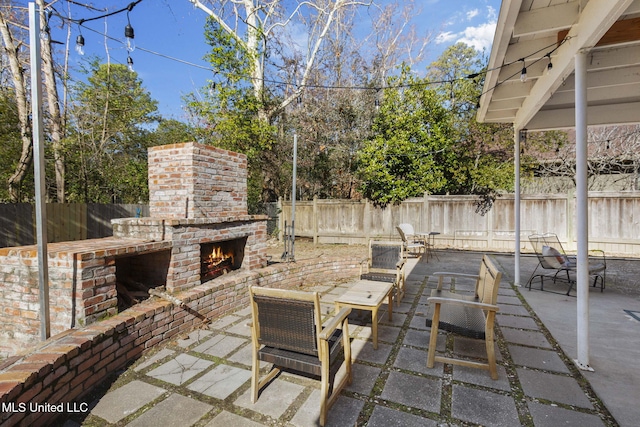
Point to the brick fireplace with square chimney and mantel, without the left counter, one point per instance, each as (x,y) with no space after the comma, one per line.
(198,201)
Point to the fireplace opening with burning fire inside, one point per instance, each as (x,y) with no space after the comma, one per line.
(220,258)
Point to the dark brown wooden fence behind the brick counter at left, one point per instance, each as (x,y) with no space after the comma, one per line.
(65,221)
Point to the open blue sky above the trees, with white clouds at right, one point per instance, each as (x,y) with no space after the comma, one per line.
(170,44)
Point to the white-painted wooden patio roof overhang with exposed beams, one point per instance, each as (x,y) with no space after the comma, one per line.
(543,31)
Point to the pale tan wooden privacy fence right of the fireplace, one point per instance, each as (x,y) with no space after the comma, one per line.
(614,220)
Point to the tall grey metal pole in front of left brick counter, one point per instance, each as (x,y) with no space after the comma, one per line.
(39,170)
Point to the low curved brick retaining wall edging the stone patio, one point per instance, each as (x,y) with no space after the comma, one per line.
(67,366)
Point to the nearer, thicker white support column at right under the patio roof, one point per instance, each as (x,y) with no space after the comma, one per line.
(582,229)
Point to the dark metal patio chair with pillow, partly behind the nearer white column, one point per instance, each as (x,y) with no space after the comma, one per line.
(555,264)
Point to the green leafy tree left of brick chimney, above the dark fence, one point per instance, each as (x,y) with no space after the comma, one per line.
(111,118)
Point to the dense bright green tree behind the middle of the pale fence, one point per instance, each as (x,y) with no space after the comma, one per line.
(413,139)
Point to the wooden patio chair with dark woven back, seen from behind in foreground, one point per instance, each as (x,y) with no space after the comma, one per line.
(287,331)
